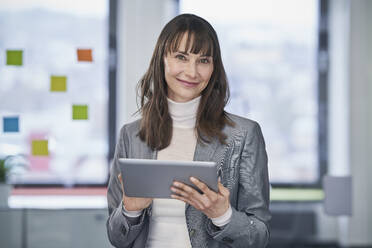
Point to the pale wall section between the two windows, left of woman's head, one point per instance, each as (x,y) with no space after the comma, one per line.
(139,25)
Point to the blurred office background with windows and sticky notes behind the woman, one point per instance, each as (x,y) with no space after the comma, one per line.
(68,72)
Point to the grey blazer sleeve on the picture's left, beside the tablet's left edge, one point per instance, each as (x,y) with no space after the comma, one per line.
(122,231)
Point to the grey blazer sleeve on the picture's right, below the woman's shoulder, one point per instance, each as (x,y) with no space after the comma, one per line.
(248,226)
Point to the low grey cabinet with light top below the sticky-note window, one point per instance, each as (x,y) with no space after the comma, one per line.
(59,220)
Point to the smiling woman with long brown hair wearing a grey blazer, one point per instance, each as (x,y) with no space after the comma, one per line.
(183,95)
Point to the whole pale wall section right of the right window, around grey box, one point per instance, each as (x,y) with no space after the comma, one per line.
(350,112)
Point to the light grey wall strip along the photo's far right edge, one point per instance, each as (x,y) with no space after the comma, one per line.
(360,129)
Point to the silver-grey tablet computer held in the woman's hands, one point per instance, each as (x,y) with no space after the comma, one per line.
(153,178)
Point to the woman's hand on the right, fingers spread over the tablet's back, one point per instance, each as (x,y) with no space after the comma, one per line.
(210,203)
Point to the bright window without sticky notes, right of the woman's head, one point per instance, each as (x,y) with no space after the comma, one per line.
(269,50)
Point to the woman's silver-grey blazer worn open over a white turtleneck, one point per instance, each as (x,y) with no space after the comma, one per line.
(243,165)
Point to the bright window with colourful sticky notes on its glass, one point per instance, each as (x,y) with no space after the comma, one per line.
(54,91)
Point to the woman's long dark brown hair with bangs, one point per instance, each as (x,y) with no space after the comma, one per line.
(156,123)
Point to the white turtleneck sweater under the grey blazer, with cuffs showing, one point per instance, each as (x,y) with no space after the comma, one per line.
(168,222)
